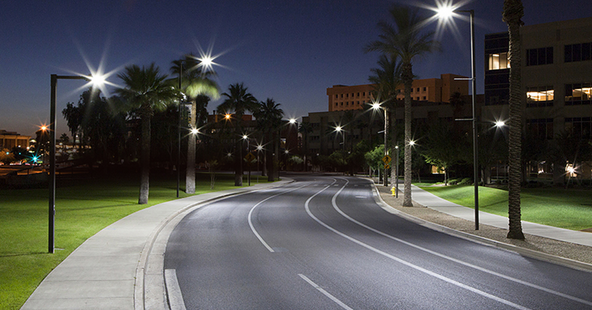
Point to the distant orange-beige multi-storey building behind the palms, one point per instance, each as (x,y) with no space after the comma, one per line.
(344,98)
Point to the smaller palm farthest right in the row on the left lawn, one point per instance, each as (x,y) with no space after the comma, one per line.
(269,119)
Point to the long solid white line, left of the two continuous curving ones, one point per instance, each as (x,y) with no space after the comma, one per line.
(404,262)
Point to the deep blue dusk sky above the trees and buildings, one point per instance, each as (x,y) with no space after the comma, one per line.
(289,50)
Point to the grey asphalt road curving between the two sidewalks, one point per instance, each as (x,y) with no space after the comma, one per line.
(324,243)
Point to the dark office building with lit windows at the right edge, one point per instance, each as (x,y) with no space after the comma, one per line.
(556,83)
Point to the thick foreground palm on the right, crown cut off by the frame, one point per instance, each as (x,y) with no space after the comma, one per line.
(512,14)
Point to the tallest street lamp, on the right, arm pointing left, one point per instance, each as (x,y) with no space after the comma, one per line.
(446,12)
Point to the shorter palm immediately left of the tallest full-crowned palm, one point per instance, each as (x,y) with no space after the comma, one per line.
(386,80)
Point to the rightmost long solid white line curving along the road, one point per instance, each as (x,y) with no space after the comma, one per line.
(544,289)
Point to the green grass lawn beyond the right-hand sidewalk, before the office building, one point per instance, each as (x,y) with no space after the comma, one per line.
(565,208)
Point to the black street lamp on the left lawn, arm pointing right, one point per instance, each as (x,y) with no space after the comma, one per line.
(95,80)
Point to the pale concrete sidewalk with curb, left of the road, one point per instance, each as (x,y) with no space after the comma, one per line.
(118,268)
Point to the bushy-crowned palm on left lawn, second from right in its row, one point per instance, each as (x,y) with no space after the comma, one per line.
(239,100)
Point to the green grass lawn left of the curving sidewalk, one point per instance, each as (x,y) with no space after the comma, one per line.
(83,207)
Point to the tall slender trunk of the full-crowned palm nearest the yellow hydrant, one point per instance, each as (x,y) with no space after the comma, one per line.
(407,76)
